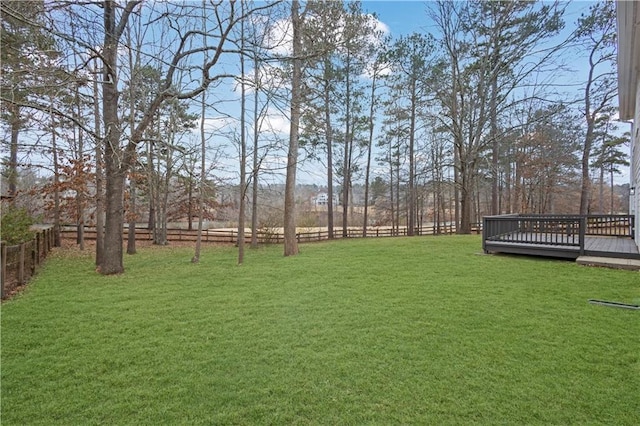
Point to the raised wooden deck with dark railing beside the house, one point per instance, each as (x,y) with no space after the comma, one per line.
(561,236)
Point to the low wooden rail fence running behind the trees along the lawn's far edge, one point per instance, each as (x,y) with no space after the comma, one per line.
(264,236)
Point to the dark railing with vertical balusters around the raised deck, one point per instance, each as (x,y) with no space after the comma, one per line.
(554,230)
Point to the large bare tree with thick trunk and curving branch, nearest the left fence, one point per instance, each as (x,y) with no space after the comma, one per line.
(119,158)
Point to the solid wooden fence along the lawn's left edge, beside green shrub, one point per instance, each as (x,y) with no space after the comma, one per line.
(20,262)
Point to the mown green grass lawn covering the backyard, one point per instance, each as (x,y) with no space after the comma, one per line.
(384,331)
